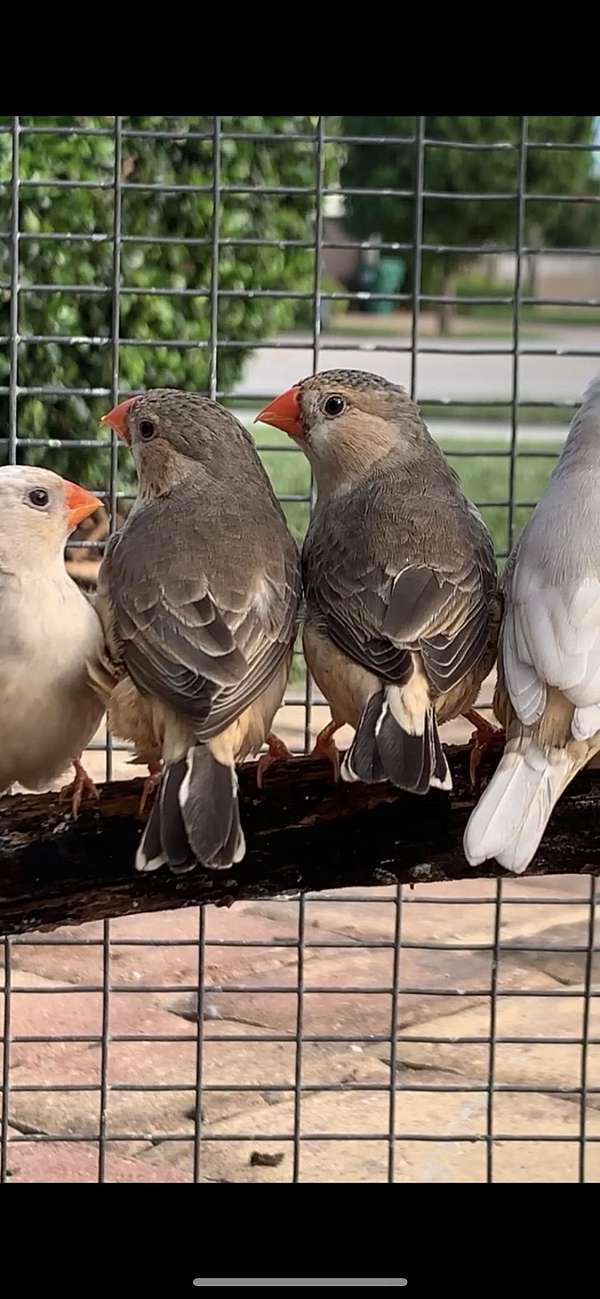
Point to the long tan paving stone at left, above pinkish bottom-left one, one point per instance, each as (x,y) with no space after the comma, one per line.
(173,1067)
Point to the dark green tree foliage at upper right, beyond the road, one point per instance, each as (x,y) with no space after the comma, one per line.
(472,171)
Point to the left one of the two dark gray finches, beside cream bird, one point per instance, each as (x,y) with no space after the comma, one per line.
(199,597)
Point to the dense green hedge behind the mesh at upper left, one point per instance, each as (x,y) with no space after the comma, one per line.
(181,264)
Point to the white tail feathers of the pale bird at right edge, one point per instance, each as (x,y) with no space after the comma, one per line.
(514,813)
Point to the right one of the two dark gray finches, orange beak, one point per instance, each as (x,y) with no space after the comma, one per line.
(399,574)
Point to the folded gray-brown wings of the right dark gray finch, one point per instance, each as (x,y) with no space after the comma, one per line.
(440,607)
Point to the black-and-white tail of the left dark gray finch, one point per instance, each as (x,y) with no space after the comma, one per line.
(195,816)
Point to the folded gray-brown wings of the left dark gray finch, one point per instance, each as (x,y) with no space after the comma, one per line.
(206,655)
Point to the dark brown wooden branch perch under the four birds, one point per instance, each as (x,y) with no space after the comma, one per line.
(303,833)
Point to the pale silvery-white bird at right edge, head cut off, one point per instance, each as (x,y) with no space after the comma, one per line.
(549,666)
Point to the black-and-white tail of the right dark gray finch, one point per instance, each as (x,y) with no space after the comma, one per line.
(398,741)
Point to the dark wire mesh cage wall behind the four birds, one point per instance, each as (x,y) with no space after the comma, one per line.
(366,1036)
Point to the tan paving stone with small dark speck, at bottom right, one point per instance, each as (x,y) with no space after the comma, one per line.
(456,1119)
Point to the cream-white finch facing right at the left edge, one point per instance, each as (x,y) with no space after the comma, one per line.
(49,631)
